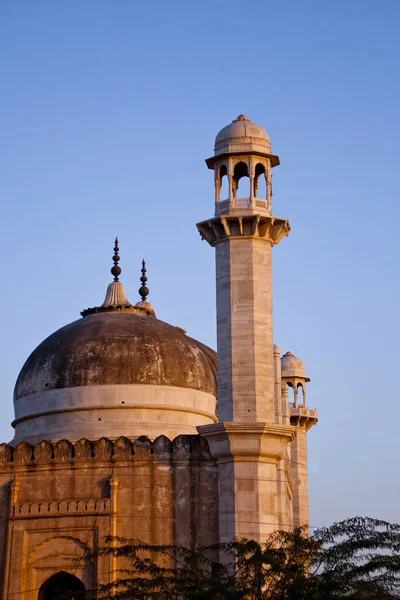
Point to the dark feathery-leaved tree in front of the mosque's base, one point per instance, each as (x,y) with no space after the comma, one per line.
(356,559)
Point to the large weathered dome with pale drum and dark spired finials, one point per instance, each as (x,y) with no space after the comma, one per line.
(117,371)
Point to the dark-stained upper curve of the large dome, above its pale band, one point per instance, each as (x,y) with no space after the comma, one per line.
(118,348)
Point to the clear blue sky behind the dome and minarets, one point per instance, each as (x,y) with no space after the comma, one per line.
(108,110)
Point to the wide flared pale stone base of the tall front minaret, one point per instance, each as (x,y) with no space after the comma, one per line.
(255,487)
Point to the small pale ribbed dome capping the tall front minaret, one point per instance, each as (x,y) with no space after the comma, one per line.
(242,135)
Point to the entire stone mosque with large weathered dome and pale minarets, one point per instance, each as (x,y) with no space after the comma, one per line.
(124,425)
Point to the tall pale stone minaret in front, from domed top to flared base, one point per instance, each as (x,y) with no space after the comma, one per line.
(250,441)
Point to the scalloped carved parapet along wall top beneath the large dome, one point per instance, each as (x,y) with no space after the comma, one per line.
(184,447)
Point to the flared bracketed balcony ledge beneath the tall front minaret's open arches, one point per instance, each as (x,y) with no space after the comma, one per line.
(266,228)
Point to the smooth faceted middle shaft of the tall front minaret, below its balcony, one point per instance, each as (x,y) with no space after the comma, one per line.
(245,330)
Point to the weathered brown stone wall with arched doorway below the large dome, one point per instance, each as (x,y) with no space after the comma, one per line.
(59,501)
